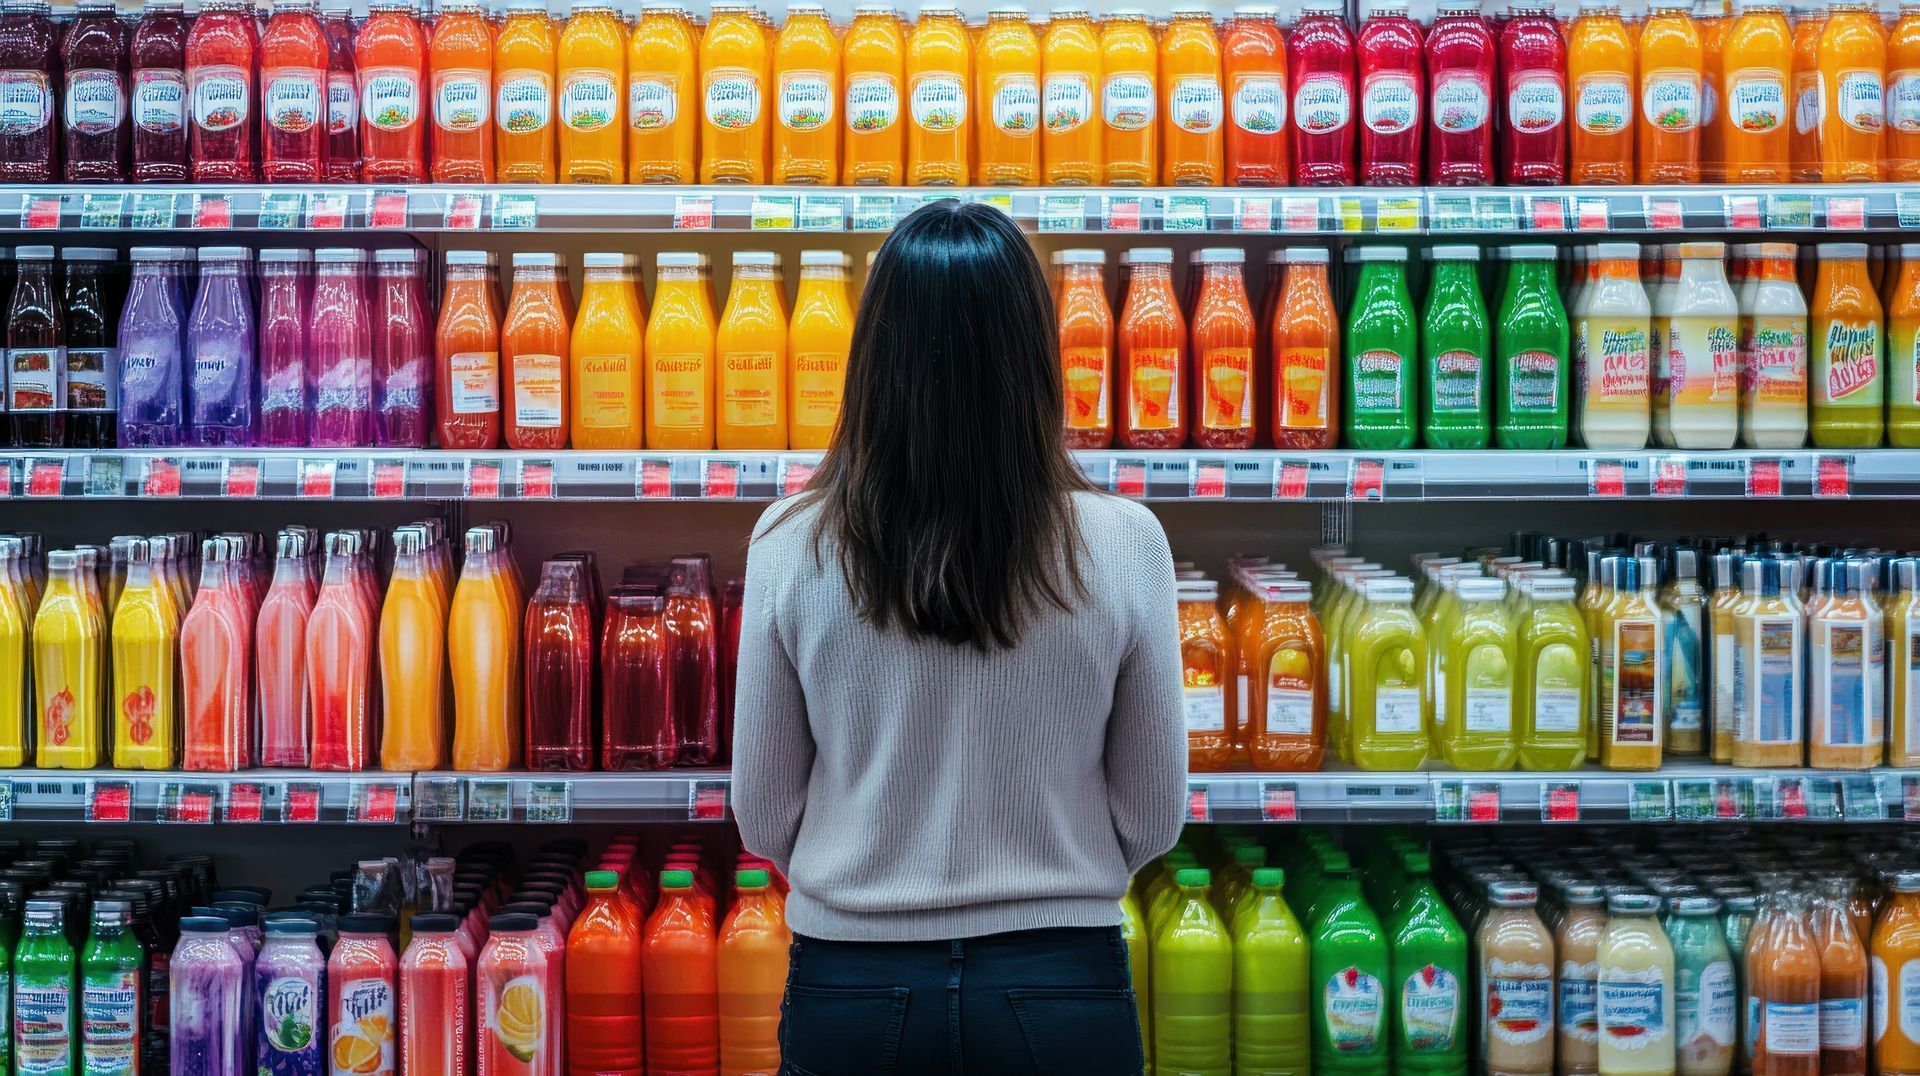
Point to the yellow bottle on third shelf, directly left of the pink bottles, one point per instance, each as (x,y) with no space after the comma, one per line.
(147,639)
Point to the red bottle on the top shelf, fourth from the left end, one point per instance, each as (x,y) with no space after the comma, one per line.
(222,57)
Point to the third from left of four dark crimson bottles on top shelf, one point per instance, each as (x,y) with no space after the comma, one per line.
(1460,114)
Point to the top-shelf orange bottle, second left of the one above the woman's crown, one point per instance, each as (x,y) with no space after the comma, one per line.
(807,78)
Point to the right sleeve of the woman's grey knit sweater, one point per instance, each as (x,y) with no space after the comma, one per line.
(1147,731)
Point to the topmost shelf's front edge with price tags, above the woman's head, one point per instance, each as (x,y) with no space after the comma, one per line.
(1358,212)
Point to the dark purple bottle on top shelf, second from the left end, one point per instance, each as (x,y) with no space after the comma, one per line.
(93,53)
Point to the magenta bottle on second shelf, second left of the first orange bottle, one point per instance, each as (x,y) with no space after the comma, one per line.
(341,353)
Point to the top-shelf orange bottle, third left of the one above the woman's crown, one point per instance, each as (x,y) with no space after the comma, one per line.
(736,62)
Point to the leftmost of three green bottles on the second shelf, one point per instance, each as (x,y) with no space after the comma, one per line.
(1381,353)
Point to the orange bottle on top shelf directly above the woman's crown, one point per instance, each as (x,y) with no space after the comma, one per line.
(940,64)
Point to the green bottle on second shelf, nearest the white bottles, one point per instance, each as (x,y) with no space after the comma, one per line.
(1531,347)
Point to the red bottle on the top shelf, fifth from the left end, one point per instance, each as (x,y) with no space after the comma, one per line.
(293,95)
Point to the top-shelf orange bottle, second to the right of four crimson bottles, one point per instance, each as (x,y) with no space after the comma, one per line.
(1671,64)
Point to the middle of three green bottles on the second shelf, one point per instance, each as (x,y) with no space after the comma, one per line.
(1456,345)
